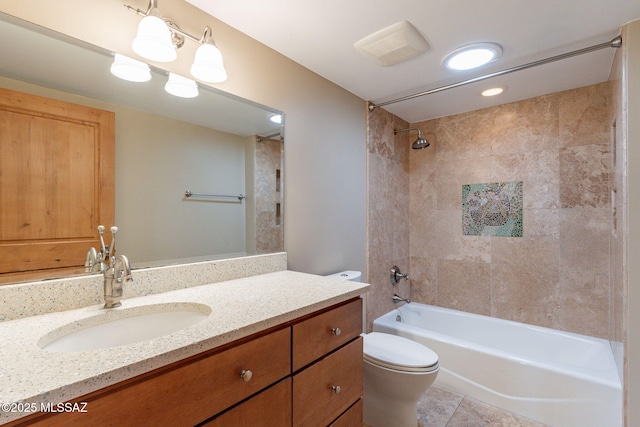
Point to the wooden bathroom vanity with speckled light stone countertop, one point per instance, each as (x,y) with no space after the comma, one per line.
(288,353)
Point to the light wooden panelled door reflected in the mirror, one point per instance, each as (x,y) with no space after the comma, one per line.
(57,164)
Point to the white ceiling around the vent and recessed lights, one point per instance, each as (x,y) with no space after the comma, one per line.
(320,36)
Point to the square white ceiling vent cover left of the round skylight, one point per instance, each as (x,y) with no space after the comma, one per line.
(392,45)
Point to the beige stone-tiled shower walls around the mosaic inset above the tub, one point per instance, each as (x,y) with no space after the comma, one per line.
(557,274)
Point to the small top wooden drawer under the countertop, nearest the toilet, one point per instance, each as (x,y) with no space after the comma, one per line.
(321,334)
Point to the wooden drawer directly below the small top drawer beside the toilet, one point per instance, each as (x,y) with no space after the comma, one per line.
(315,402)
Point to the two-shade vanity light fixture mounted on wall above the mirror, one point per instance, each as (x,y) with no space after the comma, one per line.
(158,38)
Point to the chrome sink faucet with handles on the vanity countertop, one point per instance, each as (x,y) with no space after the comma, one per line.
(116,274)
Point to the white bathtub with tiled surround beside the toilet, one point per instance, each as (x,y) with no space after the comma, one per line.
(554,377)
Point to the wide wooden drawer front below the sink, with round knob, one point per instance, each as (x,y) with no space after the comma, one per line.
(190,393)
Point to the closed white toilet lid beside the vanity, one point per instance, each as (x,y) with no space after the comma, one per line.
(394,352)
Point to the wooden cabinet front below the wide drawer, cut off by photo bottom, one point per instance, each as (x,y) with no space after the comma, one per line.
(271,408)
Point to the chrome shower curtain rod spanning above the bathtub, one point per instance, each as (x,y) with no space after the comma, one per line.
(616,42)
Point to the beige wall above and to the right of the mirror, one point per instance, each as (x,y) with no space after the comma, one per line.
(325,125)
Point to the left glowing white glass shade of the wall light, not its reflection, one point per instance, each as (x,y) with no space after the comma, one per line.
(153,40)
